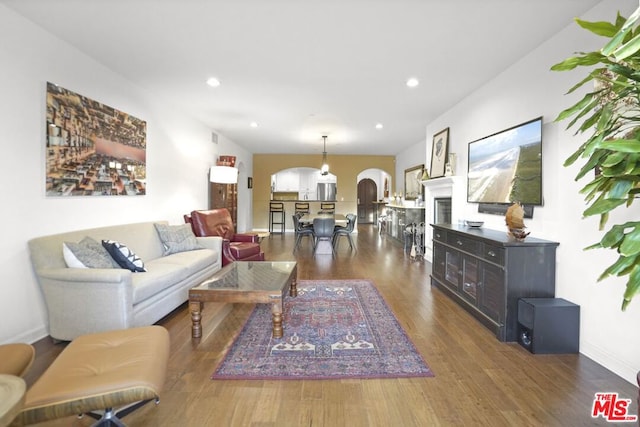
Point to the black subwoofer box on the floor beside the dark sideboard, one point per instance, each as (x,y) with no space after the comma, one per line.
(548,325)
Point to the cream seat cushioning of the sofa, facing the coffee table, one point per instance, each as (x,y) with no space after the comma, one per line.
(167,271)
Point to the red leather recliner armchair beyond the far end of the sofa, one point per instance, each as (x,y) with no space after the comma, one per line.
(217,222)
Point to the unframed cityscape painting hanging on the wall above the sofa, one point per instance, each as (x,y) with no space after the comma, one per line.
(92,149)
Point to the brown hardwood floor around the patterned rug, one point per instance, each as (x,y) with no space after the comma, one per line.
(478,380)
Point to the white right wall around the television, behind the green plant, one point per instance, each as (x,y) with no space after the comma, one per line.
(524,91)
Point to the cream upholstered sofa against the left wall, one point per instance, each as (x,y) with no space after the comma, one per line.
(88,300)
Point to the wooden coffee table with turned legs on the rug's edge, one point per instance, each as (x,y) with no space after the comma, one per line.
(246,282)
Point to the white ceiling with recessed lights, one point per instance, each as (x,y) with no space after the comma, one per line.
(301,69)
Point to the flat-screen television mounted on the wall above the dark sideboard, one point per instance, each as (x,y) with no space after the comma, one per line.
(506,167)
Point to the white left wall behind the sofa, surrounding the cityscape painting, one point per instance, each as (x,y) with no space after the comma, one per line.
(179,153)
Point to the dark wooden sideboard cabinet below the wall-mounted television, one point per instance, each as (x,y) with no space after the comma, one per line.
(486,272)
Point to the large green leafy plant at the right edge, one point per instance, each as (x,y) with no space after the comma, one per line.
(610,115)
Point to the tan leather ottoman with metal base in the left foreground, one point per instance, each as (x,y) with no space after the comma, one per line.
(100,372)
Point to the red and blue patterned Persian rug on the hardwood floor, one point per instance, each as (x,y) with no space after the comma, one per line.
(333,329)
